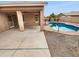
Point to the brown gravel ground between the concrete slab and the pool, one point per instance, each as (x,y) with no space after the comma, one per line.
(62,45)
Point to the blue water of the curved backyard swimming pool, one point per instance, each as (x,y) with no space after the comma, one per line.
(63,27)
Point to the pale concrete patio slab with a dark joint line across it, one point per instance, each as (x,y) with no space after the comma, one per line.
(29,43)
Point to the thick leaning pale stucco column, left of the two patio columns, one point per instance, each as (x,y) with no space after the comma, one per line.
(20,20)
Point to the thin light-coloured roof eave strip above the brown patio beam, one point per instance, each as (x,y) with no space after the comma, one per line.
(23,4)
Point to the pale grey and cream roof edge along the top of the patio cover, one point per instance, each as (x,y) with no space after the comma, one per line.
(14,4)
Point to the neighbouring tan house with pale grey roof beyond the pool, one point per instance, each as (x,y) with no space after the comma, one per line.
(72,17)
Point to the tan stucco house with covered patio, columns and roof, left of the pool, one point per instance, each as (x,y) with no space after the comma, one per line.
(21,14)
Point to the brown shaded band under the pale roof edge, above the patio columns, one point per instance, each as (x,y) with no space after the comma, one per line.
(23,9)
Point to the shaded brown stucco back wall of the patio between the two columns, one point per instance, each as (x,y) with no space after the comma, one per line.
(29,19)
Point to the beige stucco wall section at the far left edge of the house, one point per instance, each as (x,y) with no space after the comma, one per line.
(3,22)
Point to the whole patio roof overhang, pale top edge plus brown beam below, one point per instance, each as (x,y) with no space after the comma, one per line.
(22,6)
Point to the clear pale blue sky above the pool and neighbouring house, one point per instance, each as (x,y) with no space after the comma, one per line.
(60,7)
